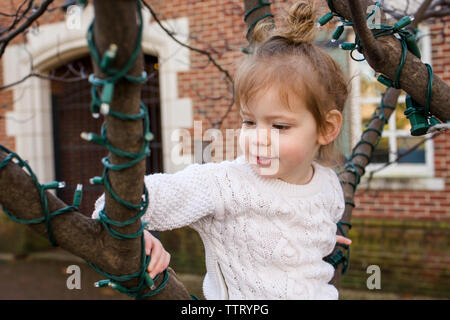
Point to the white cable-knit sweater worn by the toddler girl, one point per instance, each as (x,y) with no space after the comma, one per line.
(264,238)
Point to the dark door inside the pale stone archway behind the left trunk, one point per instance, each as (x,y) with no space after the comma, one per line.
(76,161)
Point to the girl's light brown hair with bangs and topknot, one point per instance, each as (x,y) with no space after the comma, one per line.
(287,58)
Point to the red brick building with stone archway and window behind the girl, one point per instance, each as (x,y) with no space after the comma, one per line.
(401,216)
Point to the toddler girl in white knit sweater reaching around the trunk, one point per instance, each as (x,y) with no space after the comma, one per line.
(268,218)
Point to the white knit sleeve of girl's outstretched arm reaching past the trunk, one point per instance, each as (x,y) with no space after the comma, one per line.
(179,199)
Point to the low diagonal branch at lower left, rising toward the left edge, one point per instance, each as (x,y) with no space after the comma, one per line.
(73,231)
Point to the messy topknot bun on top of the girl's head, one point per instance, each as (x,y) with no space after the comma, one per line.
(300,22)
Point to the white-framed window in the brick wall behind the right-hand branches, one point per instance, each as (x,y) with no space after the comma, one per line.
(396,138)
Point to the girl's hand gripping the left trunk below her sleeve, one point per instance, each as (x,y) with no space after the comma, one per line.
(160,258)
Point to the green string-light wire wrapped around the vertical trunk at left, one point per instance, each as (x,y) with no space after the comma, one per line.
(101,105)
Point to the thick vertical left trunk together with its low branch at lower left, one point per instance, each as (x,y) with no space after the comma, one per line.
(73,231)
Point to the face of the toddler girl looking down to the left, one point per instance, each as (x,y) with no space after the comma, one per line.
(277,142)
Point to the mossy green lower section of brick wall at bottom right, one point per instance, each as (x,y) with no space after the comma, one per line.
(412,256)
